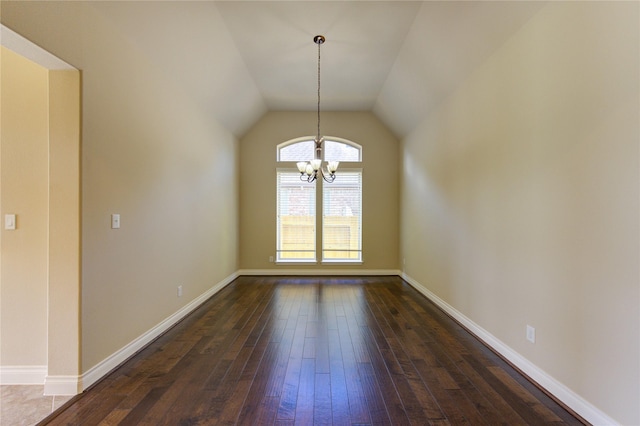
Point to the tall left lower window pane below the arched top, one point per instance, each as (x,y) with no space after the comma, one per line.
(296,228)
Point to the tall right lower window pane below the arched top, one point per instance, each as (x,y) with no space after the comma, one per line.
(342,218)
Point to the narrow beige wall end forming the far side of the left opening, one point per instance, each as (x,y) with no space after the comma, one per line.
(63,348)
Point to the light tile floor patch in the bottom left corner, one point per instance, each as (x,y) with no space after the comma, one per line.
(26,405)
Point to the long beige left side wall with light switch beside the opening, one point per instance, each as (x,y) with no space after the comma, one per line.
(153,155)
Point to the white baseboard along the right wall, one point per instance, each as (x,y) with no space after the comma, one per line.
(572,400)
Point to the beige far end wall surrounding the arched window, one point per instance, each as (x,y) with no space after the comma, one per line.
(258,185)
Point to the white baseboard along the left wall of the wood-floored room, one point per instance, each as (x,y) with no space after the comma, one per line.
(103,368)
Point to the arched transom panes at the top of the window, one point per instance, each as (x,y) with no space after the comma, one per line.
(333,149)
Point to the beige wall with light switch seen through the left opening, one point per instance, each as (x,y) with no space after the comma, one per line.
(24,192)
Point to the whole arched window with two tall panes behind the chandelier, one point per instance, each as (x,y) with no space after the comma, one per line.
(340,223)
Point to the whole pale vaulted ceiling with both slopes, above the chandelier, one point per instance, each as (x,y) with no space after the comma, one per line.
(398,59)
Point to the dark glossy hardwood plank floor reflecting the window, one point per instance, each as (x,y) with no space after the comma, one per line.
(322,350)
